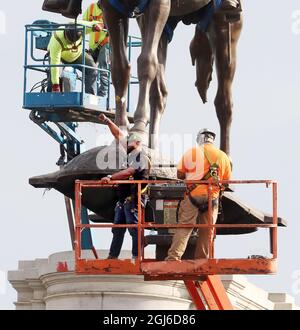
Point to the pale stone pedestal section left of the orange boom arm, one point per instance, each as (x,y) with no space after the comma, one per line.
(41,286)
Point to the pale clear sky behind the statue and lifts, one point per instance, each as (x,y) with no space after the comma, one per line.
(265,136)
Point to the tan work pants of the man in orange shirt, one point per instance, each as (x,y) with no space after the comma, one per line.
(188,214)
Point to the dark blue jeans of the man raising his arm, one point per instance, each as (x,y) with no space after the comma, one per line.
(125,214)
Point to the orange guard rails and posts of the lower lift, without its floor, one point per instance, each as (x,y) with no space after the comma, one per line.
(81,185)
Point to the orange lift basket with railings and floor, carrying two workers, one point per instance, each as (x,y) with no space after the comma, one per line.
(173,270)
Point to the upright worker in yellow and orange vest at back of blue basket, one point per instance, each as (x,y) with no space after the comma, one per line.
(99,46)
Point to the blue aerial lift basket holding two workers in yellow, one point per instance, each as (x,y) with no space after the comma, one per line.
(73,104)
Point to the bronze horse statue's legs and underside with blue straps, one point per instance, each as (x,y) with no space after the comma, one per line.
(157,18)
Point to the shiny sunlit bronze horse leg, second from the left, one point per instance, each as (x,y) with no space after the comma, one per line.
(154,21)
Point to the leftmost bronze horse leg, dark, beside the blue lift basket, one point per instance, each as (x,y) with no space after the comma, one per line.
(120,68)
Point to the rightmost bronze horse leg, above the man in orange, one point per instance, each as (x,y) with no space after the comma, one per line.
(225,37)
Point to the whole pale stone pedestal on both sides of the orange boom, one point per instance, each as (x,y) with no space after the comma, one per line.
(41,285)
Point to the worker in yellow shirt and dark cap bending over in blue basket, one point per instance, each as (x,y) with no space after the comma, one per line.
(66,46)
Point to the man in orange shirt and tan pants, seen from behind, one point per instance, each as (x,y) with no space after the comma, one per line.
(208,163)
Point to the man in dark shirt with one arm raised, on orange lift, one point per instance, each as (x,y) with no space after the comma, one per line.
(137,167)
